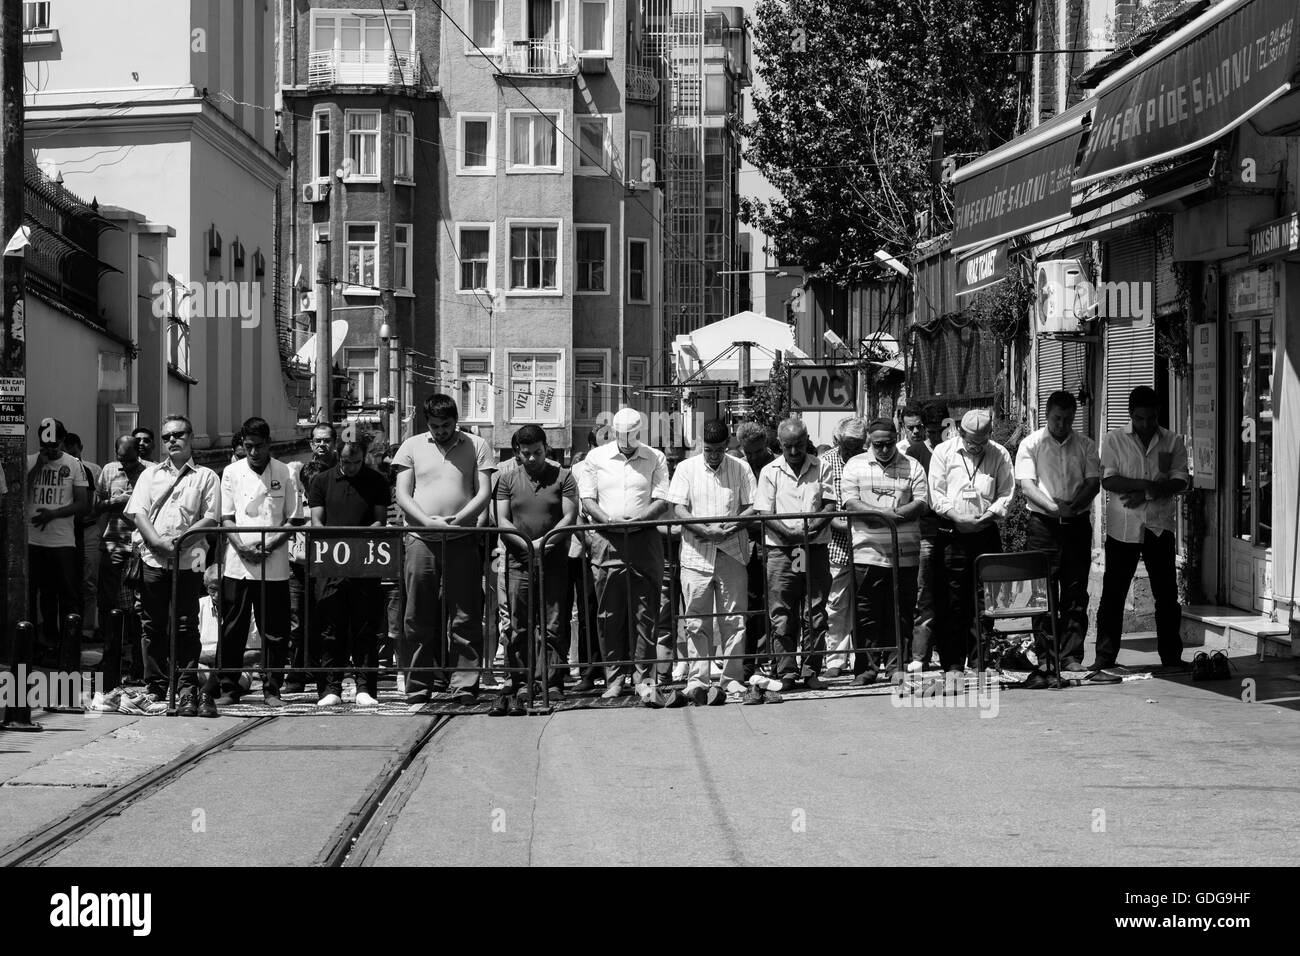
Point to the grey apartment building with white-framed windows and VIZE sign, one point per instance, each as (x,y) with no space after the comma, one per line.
(552,219)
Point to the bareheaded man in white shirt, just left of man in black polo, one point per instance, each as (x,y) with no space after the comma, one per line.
(257,492)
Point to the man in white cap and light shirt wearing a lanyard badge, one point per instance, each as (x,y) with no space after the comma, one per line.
(970,488)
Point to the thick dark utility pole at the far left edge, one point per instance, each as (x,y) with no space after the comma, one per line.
(14,348)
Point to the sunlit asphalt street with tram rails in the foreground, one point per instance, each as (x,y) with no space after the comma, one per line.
(1159,772)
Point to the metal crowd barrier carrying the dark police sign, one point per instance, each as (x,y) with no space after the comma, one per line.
(432,661)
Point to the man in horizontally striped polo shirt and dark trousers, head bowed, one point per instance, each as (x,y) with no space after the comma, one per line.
(883,482)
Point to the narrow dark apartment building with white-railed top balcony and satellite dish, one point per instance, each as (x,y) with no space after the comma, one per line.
(359,120)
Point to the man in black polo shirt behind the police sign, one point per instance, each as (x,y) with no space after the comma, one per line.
(349,495)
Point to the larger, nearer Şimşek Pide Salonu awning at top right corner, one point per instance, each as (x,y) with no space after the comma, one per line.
(1202,83)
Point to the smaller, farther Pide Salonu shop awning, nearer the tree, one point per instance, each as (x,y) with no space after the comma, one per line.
(1020,187)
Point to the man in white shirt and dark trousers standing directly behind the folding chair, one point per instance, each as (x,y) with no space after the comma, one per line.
(1060,474)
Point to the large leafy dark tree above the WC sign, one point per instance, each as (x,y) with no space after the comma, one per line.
(850,97)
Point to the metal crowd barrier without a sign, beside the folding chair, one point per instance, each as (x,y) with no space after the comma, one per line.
(645,639)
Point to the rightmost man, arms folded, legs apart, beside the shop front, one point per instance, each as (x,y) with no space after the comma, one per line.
(1143,468)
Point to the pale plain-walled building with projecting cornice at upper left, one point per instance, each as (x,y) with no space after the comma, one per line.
(170,113)
